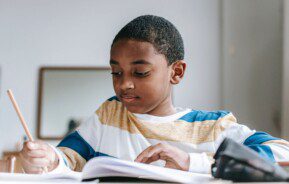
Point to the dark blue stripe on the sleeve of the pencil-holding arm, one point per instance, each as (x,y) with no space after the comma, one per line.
(75,142)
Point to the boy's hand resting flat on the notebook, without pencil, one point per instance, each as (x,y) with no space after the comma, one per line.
(174,157)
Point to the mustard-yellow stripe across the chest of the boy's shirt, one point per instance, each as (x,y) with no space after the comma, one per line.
(113,113)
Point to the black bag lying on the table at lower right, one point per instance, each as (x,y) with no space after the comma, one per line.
(234,161)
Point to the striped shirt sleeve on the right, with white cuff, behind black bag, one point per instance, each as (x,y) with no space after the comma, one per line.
(267,146)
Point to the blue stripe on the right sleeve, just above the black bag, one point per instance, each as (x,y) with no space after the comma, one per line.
(255,142)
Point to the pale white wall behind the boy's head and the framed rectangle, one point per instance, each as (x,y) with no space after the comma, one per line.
(79,32)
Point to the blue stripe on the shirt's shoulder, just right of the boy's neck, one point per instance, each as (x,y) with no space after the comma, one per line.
(195,115)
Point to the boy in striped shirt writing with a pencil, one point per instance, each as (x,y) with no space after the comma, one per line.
(140,123)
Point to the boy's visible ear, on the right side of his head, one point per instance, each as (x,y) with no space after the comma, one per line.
(178,71)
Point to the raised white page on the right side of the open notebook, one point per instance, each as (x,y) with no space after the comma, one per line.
(108,166)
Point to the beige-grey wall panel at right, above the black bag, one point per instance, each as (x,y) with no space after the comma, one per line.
(252,62)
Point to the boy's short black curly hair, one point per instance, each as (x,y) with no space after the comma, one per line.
(161,33)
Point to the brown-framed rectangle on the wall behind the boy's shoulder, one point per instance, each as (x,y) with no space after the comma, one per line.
(69,95)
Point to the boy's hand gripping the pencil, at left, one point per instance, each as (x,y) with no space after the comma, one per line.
(36,156)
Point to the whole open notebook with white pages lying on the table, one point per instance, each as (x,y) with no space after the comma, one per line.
(108,167)
